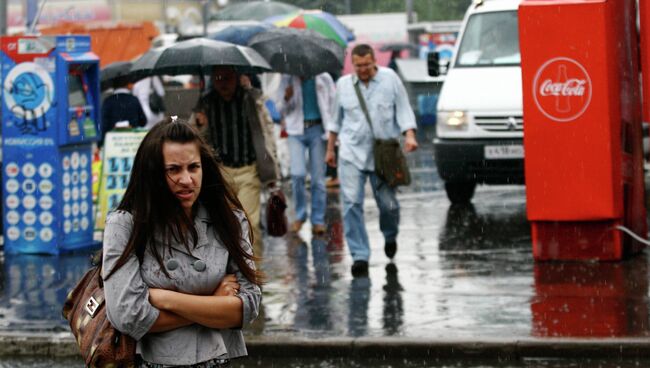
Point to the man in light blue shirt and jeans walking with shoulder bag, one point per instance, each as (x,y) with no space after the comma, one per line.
(390,114)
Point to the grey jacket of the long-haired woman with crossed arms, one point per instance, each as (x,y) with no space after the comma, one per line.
(127,292)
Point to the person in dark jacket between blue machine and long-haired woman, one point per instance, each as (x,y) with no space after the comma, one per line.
(121,106)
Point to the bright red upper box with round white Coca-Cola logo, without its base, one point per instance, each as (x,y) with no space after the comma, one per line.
(571,106)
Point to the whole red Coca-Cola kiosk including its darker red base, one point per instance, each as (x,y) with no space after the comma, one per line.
(582,128)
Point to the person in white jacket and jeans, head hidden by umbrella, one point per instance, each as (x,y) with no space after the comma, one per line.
(307,103)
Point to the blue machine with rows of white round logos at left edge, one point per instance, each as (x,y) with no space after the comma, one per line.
(50,118)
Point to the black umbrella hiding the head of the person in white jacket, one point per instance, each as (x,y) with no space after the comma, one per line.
(300,52)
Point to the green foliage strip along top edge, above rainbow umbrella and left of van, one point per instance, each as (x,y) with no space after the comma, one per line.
(427,10)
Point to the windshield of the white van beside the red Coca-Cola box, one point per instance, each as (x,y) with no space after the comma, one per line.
(490,39)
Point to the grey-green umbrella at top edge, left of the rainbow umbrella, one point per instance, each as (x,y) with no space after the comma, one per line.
(253,10)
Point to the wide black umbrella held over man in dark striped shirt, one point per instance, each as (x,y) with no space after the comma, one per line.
(200,55)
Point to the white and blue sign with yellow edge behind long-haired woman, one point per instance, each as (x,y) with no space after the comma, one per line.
(120,148)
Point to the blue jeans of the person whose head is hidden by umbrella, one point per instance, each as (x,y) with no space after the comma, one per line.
(311,141)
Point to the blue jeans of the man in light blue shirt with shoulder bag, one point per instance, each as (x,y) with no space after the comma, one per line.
(353,182)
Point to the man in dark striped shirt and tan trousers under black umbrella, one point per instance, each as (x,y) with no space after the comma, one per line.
(237,125)
